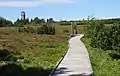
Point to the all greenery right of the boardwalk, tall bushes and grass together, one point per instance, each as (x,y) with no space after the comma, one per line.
(102,42)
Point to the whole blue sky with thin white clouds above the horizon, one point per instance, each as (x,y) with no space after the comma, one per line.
(60,9)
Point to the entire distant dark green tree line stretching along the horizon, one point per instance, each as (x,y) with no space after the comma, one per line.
(37,22)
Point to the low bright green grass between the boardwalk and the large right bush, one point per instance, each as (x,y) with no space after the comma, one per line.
(104,63)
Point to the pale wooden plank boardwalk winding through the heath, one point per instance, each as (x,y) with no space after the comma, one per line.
(76,61)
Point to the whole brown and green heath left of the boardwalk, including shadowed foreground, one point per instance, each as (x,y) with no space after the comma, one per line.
(30,54)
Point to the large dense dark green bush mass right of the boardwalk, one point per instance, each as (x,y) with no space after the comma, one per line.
(104,37)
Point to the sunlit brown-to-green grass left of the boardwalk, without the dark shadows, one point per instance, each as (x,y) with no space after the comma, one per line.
(36,50)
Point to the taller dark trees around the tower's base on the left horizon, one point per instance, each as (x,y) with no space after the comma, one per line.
(19,23)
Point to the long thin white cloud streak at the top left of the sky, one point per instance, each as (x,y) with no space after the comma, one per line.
(31,3)
